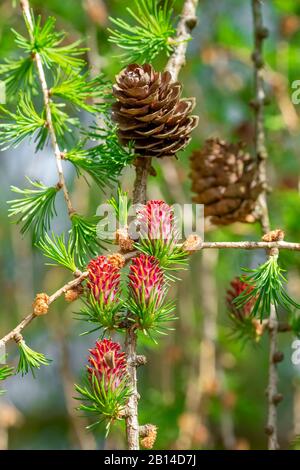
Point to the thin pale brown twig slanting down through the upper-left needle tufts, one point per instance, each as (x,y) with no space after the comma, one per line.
(47,103)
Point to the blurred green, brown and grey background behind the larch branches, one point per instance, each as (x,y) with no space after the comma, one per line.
(202,387)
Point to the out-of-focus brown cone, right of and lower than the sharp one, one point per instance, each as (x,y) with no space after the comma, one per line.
(224,177)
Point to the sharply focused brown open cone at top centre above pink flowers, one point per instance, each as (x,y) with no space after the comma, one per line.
(149,111)
